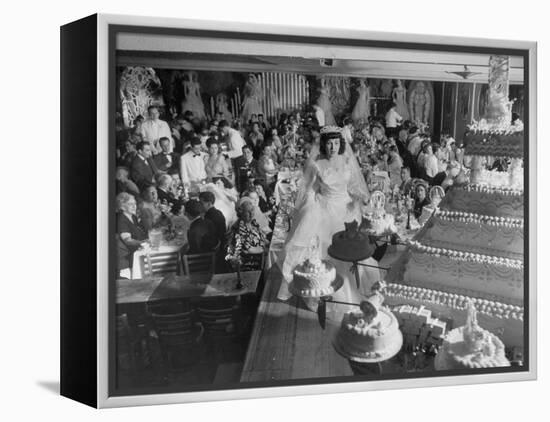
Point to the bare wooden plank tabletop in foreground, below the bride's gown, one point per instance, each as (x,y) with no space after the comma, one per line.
(288,342)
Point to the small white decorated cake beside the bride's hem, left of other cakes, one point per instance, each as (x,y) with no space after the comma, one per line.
(313,277)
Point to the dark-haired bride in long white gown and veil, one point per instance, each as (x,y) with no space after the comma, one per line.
(332,193)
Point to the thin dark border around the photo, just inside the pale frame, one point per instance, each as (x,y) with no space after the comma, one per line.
(115,29)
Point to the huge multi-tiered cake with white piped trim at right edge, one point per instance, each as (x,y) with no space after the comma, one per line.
(472,251)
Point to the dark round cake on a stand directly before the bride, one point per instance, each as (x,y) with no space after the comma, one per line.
(350,244)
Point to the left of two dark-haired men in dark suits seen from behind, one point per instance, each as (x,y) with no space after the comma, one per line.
(202,233)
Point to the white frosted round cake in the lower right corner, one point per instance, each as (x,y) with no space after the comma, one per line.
(466,350)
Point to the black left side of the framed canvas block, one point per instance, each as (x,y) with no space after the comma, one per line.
(78,360)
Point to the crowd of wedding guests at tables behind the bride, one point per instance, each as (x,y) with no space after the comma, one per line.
(220,177)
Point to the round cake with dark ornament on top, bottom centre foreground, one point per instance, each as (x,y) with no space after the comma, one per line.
(373,341)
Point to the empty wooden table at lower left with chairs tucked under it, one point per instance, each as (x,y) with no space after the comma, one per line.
(177,287)
